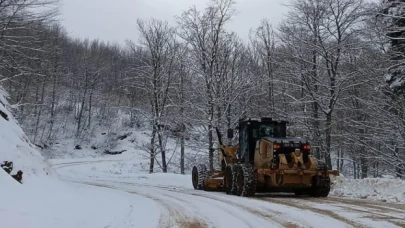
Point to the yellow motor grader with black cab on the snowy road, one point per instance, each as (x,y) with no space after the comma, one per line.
(265,160)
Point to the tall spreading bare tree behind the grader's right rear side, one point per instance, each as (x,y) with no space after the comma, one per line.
(319,35)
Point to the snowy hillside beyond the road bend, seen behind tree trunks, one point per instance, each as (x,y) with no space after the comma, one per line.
(132,142)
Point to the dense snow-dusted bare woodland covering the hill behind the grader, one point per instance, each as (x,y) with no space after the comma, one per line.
(333,68)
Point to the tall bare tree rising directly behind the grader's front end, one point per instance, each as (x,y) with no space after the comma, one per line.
(204,33)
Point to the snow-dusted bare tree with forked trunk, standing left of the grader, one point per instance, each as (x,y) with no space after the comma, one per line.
(159,40)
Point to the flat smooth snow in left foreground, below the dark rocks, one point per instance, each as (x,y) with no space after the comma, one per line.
(48,202)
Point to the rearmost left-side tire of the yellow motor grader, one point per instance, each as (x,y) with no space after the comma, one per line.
(245,180)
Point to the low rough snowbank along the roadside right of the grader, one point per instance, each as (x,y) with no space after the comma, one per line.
(377,189)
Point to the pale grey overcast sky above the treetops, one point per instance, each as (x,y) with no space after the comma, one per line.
(115,20)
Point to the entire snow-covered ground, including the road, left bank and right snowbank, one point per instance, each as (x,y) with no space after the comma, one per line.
(98,190)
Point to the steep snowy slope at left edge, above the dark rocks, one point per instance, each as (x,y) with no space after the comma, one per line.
(16,147)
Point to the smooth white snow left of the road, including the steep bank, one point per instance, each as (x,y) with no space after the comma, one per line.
(44,201)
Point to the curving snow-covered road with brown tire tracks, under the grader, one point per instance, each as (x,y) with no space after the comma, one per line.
(181,206)
